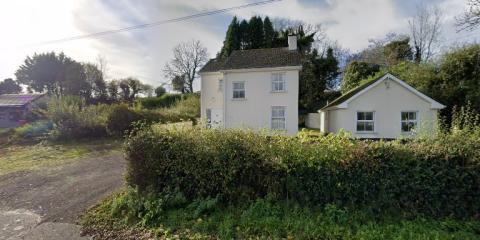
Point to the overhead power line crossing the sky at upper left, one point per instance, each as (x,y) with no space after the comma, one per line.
(153,24)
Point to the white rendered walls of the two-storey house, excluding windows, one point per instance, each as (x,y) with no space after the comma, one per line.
(255,110)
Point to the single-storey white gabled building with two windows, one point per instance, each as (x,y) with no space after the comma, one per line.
(386,107)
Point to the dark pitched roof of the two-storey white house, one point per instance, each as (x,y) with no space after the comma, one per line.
(255,58)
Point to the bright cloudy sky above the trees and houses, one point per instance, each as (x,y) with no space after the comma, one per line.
(142,53)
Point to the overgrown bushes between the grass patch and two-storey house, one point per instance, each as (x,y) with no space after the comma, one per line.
(70,117)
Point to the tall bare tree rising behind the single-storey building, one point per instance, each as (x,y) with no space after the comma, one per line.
(425,28)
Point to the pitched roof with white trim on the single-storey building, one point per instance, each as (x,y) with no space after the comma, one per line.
(350,95)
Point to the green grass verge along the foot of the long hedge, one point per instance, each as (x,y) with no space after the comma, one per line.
(262,219)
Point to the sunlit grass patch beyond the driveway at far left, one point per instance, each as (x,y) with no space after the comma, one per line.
(14,158)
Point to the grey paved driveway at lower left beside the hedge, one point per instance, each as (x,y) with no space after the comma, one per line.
(45,204)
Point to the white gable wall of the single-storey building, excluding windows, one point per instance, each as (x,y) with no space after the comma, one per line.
(387,105)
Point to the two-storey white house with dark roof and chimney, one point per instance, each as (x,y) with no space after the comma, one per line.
(255,89)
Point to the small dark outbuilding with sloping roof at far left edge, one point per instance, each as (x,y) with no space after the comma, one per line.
(14,108)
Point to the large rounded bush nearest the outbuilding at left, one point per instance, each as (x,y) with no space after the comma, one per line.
(74,119)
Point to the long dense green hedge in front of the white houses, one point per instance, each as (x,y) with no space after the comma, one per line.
(432,176)
